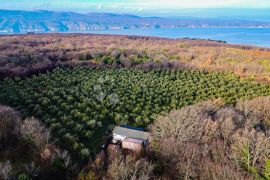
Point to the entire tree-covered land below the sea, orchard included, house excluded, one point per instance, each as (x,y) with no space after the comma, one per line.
(209,118)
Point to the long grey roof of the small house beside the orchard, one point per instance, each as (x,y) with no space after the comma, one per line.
(131,133)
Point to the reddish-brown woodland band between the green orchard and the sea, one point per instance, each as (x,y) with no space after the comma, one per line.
(24,55)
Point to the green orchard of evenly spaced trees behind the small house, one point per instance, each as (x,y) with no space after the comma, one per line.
(77,104)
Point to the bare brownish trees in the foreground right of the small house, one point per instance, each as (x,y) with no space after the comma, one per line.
(211,140)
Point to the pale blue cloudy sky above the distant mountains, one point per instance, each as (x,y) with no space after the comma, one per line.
(144,7)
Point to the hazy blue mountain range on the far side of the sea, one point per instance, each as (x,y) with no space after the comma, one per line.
(12,21)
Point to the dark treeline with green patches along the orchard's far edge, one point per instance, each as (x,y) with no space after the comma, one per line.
(27,65)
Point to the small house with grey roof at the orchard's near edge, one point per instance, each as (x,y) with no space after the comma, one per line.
(131,138)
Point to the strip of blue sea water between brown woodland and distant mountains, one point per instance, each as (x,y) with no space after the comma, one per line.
(246,36)
